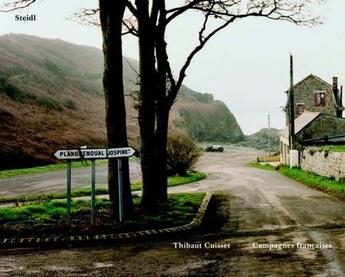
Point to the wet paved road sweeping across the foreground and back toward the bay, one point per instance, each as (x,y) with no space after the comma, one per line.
(257,208)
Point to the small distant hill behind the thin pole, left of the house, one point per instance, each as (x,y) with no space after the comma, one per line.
(259,140)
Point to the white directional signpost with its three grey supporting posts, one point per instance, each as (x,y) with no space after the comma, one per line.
(93,155)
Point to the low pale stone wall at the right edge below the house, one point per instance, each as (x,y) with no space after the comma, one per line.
(324,163)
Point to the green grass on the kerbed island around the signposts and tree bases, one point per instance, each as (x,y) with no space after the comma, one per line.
(180,209)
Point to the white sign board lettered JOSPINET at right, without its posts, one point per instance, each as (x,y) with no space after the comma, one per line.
(91,154)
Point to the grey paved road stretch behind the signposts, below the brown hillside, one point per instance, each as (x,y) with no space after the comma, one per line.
(56,181)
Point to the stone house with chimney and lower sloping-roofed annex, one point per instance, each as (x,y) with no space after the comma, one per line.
(318,114)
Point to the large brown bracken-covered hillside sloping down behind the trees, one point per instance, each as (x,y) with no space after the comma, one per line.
(51,97)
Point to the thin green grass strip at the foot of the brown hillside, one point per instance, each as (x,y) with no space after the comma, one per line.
(4,174)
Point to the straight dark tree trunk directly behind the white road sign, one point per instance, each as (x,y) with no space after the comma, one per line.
(111,15)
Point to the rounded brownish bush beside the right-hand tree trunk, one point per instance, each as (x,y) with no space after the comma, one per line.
(182,153)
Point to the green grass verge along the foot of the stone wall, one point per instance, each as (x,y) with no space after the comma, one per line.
(308,178)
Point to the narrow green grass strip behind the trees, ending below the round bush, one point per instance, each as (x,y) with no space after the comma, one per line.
(192,176)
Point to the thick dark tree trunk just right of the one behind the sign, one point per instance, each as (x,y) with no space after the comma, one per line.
(152,125)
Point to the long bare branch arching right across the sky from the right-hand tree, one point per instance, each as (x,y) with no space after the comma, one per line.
(228,11)
